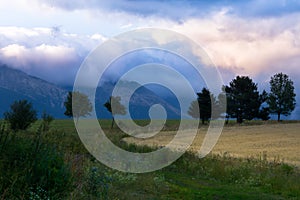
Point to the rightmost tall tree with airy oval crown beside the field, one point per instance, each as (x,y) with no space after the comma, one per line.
(282,97)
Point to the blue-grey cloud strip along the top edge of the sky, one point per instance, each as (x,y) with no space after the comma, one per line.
(181,10)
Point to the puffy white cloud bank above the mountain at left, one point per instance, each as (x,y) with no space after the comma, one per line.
(46,52)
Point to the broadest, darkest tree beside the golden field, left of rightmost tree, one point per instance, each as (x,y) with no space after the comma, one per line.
(243,99)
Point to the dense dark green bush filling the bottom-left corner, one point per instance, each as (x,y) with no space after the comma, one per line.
(30,173)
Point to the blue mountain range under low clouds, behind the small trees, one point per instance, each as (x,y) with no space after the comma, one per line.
(45,96)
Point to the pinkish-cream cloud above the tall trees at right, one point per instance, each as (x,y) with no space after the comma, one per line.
(247,46)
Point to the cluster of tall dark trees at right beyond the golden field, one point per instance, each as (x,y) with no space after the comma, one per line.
(244,102)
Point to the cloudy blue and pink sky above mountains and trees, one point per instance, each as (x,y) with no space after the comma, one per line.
(257,38)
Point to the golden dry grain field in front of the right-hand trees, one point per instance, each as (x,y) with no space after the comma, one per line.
(280,142)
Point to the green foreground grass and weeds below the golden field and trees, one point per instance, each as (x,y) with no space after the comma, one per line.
(61,168)
